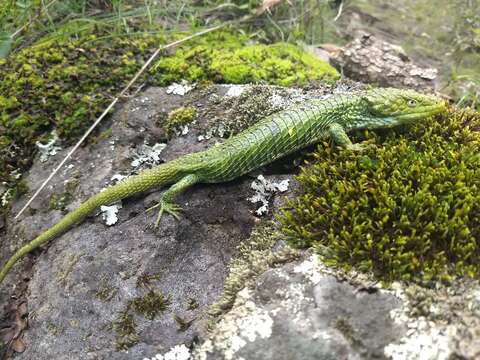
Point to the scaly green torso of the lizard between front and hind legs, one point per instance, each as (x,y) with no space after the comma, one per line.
(273,137)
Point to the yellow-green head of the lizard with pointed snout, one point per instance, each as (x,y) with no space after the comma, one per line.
(389,107)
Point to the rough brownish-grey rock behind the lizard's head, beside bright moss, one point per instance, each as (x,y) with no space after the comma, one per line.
(371,60)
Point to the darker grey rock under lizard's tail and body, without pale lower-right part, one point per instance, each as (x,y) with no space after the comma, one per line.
(98,290)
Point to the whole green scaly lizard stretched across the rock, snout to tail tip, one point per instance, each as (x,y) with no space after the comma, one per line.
(273,137)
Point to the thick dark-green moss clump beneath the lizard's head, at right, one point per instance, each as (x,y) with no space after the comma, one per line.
(406,209)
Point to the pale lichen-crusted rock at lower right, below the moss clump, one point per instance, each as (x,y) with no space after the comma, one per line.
(305,310)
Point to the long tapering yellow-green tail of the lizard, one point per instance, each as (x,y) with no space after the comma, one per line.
(161,175)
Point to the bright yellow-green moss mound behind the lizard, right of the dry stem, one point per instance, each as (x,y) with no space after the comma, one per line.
(226,57)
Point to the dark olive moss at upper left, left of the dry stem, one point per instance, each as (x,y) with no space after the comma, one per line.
(62,85)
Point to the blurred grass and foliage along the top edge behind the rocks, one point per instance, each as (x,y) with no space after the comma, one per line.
(445,34)
